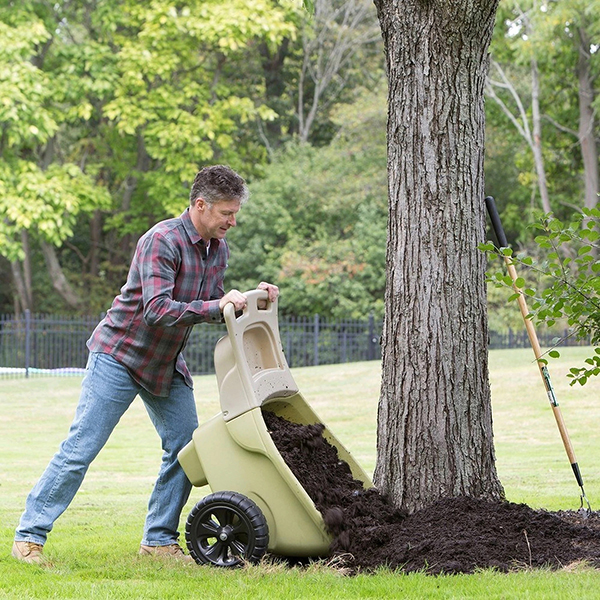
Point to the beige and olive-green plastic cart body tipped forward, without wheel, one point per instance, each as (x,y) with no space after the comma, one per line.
(234,451)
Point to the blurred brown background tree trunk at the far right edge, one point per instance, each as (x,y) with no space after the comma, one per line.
(589,150)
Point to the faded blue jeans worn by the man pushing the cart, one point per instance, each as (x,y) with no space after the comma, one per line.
(107,392)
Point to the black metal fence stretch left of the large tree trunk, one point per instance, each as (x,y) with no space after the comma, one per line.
(33,345)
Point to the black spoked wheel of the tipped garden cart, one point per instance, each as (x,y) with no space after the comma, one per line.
(225,529)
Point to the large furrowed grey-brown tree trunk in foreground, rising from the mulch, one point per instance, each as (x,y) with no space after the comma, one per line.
(435,423)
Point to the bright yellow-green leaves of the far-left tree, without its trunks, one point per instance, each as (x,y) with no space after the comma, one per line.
(40,198)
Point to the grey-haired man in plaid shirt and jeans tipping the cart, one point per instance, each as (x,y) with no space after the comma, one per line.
(175,281)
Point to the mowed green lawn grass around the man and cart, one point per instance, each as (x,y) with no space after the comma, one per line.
(94,545)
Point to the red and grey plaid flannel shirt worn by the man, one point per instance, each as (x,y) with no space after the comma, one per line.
(170,288)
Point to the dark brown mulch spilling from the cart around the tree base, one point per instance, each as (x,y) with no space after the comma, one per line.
(453,535)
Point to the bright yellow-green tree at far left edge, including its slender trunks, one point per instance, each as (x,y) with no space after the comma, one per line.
(41,197)
